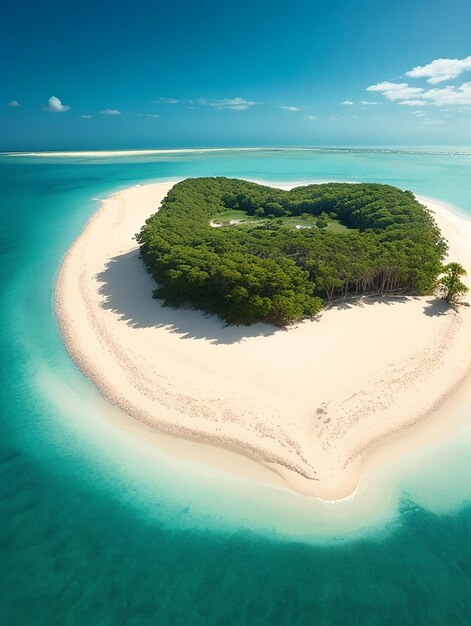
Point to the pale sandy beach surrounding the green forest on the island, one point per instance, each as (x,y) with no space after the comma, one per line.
(309,402)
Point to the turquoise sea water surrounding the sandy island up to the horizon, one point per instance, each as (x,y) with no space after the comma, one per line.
(99,526)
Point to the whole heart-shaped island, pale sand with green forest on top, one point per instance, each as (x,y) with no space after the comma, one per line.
(302,328)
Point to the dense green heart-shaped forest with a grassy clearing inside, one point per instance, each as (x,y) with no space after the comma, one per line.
(294,251)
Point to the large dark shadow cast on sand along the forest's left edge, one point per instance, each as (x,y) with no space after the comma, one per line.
(127,289)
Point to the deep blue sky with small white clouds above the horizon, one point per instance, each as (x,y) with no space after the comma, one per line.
(150,74)
